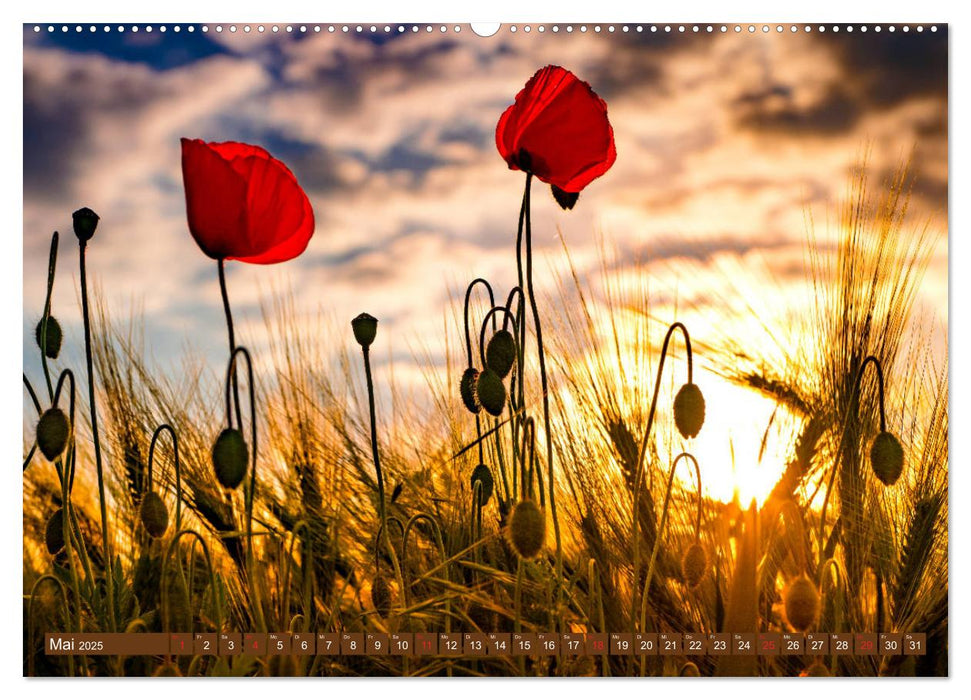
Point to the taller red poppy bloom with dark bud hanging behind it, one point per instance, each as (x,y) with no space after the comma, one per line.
(558,130)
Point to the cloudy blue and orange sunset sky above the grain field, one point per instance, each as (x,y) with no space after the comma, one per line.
(726,144)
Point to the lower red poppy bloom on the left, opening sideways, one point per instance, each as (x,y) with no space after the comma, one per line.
(243,204)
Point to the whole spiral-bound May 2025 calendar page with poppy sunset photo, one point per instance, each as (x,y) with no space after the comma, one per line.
(534,349)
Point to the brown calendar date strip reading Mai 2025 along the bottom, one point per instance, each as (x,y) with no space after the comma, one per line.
(468,644)
